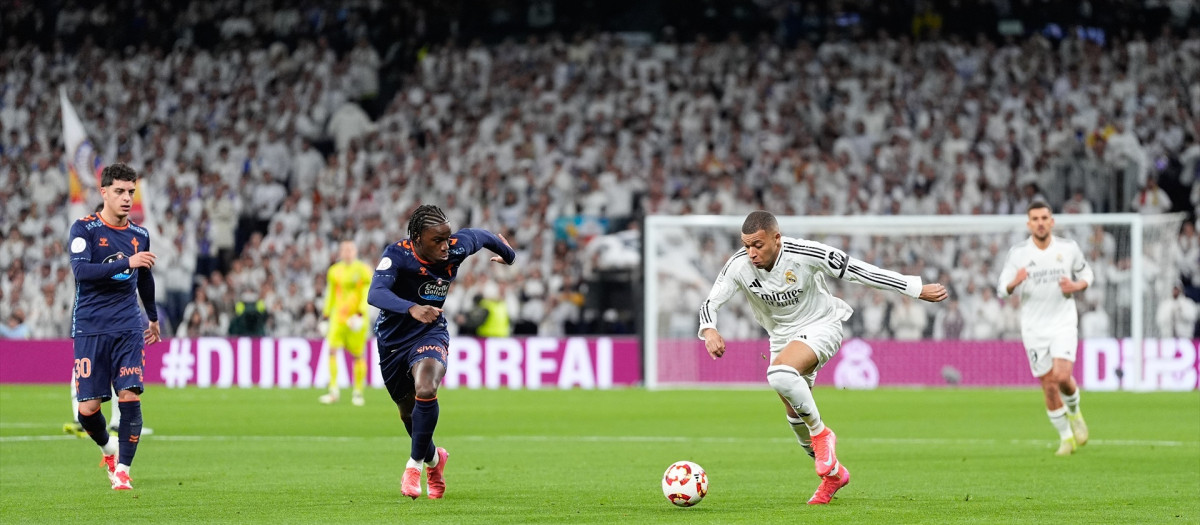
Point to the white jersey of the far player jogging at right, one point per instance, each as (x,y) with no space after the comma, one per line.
(1046,310)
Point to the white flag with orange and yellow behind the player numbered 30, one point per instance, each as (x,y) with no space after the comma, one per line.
(85,166)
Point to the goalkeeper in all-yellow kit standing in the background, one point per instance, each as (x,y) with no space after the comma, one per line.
(346,310)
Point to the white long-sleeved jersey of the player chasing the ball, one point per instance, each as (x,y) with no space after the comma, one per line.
(794,294)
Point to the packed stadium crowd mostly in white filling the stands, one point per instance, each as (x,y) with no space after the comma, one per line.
(265,150)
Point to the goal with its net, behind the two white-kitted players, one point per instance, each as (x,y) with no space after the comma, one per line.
(973,340)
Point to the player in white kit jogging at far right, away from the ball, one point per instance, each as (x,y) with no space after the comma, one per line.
(1048,271)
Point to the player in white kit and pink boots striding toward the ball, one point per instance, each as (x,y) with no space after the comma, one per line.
(784,281)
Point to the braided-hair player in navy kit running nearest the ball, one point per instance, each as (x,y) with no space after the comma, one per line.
(410,287)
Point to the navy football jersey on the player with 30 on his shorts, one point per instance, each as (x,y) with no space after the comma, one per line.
(106,286)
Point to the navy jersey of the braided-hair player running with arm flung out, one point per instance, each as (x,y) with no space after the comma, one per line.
(403,280)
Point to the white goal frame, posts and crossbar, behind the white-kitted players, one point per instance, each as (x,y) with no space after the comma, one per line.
(859,225)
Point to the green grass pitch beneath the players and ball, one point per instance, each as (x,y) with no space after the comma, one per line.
(916,456)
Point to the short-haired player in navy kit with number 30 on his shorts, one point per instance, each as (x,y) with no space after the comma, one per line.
(111,260)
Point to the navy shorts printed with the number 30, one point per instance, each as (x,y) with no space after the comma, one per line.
(107,363)
